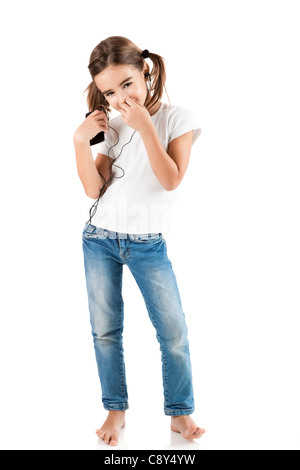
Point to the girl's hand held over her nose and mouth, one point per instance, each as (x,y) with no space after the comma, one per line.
(135,115)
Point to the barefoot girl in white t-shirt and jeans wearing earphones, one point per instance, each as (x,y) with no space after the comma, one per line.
(152,142)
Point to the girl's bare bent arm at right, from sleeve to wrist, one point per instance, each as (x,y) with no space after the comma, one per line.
(169,167)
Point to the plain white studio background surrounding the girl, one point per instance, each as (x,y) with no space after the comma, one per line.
(235,243)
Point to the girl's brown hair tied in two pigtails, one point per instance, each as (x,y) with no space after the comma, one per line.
(118,50)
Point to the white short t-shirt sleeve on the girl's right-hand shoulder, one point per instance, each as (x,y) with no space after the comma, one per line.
(181,121)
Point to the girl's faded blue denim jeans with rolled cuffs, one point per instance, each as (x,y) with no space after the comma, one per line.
(105,253)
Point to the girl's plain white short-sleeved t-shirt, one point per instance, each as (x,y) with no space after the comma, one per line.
(137,203)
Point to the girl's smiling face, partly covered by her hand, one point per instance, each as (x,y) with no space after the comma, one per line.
(108,82)
